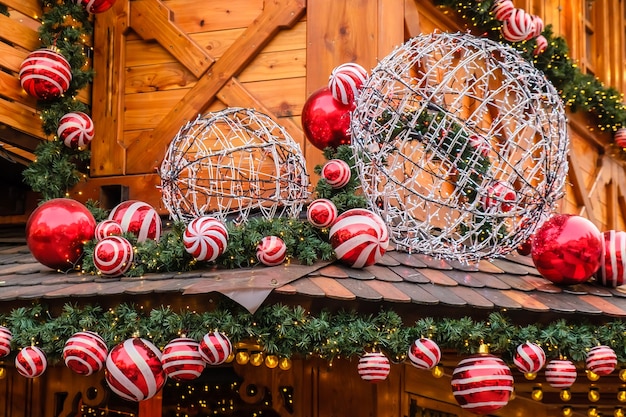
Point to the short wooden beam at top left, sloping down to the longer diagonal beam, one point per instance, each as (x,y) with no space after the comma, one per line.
(151,19)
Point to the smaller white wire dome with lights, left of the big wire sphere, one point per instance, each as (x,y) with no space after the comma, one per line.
(233,164)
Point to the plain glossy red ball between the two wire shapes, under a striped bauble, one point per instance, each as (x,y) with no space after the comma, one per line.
(326,121)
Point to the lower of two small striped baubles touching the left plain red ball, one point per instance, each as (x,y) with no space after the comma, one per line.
(113,256)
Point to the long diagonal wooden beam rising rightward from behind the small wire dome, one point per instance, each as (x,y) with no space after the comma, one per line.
(150,146)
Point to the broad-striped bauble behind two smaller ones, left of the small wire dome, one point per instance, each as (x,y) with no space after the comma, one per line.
(138,218)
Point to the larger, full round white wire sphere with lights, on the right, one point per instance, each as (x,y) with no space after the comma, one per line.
(461,146)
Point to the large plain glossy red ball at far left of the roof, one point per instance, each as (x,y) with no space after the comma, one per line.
(57,230)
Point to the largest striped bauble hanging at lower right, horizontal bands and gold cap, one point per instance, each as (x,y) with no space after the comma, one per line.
(482,383)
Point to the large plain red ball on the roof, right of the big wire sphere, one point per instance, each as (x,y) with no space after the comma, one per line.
(567,249)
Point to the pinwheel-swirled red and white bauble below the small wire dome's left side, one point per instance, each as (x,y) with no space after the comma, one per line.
(205,238)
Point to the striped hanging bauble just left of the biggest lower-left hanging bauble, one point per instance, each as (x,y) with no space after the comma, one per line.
(85,353)
